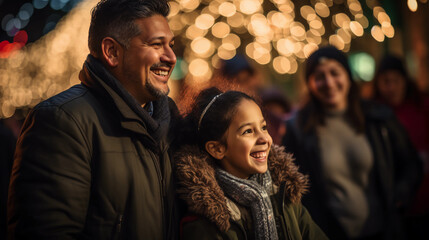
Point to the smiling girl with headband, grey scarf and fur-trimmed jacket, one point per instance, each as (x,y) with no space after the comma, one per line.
(235,183)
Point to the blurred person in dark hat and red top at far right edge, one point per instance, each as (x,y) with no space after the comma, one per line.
(394,87)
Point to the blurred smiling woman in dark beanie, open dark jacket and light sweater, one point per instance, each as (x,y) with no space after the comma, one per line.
(363,169)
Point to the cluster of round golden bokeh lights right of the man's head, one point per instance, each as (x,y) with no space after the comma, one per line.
(269,36)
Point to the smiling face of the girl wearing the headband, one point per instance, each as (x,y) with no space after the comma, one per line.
(248,142)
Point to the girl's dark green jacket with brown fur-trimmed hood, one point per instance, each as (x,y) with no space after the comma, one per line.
(214,216)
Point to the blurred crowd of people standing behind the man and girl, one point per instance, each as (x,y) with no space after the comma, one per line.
(367,159)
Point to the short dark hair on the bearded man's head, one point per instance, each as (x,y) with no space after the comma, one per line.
(115,19)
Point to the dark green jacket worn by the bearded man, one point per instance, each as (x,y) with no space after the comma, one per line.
(86,167)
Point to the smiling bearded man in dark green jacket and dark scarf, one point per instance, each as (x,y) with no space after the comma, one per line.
(92,162)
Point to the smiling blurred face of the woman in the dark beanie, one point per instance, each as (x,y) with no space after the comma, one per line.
(330,84)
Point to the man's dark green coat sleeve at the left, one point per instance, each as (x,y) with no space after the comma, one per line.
(51,178)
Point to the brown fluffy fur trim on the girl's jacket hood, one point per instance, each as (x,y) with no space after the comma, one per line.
(198,187)
